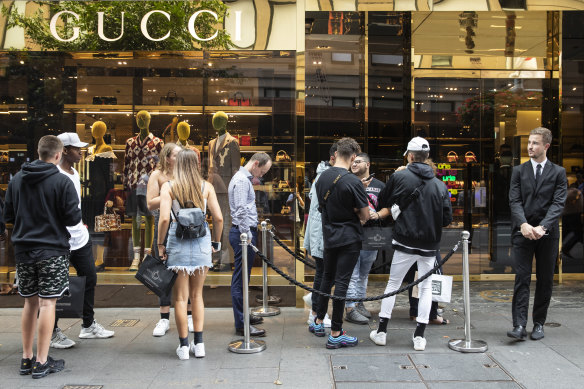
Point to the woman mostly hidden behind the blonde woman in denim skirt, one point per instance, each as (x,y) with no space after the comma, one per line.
(159,177)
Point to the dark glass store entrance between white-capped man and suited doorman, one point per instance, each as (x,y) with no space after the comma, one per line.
(477,128)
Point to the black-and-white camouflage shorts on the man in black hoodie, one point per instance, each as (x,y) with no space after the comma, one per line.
(49,278)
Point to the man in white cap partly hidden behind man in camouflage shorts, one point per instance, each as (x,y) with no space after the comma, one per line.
(81,252)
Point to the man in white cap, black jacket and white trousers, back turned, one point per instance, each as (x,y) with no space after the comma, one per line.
(420,205)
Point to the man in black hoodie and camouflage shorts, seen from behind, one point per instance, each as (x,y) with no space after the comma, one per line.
(40,203)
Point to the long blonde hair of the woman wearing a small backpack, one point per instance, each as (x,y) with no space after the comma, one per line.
(187,181)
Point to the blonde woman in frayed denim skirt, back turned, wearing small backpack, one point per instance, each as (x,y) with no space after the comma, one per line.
(189,258)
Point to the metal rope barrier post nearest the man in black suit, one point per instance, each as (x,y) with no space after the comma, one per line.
(467,345)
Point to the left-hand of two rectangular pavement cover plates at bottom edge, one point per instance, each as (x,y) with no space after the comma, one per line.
(373,368)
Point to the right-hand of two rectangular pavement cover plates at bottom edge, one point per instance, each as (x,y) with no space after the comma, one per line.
(458,367)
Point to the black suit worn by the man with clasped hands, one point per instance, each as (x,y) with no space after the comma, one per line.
(539,204)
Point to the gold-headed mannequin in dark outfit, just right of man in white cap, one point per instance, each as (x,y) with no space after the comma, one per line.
(100,159)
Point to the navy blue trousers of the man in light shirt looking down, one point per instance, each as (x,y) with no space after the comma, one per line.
(236,279)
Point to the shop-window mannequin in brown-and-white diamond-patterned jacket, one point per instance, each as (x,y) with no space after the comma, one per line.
(140,160)
